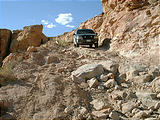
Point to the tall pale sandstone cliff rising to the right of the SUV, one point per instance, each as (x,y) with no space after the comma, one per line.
(133,27)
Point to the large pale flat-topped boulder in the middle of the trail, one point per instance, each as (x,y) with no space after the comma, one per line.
(88,71)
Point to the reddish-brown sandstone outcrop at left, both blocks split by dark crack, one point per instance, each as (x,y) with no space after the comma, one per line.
(20,40)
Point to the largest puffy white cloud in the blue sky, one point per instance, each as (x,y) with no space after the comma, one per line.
(64,19)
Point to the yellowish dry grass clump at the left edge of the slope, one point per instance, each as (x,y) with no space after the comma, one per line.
(6,75)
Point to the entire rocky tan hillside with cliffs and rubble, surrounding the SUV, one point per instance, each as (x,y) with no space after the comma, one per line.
(120,80)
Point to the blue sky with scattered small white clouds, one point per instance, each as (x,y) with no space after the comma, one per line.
(57,16)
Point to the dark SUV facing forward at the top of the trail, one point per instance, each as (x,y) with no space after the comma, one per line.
(85,37)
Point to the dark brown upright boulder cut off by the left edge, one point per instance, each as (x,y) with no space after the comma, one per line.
(5,39)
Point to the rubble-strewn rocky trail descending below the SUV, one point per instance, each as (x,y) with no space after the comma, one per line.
(57,82)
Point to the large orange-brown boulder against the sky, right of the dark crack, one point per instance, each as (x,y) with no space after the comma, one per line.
(29,36)
